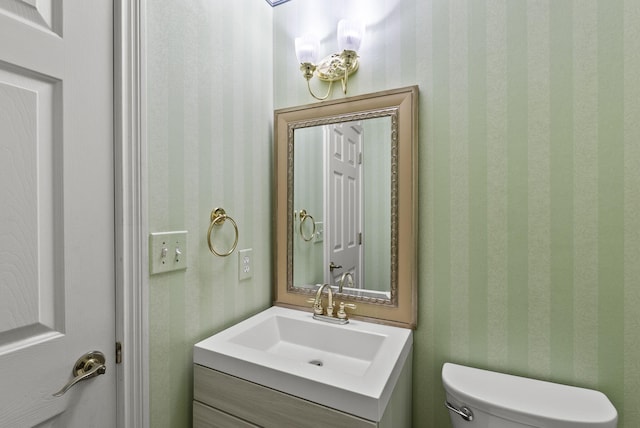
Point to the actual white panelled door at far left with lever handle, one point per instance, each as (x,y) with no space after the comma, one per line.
(57,279)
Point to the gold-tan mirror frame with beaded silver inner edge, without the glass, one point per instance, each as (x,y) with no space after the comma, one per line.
(401,105)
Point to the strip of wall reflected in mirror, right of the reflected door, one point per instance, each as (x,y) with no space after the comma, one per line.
(377,203)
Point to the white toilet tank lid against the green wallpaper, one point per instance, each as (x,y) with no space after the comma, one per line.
(507,395)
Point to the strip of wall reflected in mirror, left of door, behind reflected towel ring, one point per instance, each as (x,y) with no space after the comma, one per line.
(308,195)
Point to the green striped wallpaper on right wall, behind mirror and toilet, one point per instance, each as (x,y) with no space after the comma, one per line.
(529,180)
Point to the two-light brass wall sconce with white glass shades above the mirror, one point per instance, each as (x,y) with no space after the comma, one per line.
(337,66)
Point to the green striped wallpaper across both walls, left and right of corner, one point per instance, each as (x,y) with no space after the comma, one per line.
(529,240)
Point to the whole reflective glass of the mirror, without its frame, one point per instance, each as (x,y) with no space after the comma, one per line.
(342,206)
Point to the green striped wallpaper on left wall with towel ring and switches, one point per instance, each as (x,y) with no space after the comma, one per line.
(210,112)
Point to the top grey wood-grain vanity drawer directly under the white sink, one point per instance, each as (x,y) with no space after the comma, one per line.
(263,406)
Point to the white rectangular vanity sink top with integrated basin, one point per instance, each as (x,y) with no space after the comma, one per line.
(352,367)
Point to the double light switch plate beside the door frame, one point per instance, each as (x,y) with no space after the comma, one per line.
(167,251)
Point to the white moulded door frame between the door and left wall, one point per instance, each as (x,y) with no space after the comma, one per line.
(130,151)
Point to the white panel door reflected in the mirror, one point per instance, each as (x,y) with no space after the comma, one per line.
(343,201)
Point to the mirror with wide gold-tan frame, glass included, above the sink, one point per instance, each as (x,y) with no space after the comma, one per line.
(346,204)
